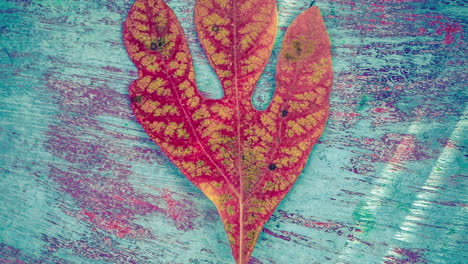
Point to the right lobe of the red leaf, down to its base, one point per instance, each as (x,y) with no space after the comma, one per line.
(295,119)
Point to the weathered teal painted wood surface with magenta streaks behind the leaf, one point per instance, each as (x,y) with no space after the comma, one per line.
(82,183)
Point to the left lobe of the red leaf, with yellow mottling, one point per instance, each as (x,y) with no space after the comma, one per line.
(165,99)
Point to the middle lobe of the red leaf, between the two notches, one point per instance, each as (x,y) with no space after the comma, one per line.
(238,37)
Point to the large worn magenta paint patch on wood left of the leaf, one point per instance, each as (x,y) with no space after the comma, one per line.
(86,170)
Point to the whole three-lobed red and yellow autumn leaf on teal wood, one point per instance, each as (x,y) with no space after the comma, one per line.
(243,159)
